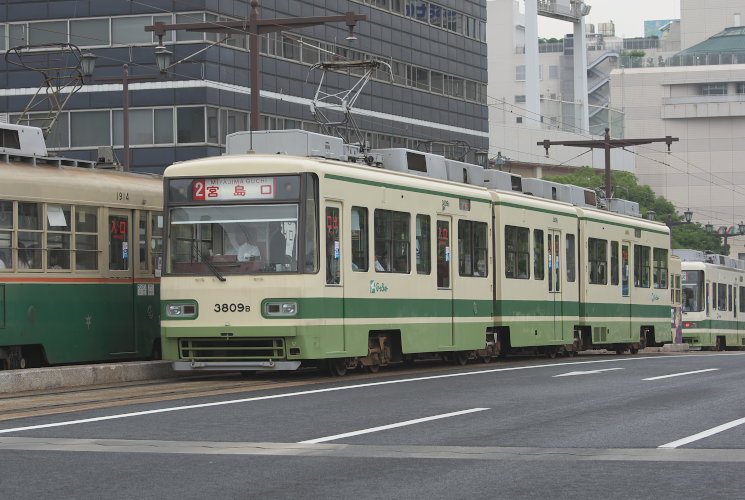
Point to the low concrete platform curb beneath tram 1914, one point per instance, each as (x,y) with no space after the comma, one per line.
(41,379)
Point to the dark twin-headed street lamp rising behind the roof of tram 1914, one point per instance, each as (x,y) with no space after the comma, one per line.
(163,59)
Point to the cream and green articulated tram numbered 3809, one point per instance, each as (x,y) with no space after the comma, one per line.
(277,261)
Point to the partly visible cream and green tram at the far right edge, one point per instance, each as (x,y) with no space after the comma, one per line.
(713,300)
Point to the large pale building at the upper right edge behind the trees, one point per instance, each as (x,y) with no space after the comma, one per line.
(698,96)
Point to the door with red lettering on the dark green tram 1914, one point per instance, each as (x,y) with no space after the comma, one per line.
(120,309)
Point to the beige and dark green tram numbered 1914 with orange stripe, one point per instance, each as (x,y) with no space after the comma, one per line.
(80,258)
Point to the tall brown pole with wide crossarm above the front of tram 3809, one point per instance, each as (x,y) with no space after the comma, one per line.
(254,28)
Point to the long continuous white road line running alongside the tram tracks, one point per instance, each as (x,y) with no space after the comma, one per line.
(343,388)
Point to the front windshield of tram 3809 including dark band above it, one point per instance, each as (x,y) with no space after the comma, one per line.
(209,237)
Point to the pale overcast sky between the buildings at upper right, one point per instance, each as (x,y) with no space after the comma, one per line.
(627,15)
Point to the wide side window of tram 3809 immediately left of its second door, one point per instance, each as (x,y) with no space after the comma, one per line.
(392,241)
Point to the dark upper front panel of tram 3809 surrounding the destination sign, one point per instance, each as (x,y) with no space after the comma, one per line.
(234,189)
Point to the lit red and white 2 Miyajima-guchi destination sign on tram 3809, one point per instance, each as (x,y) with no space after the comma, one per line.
(234,188)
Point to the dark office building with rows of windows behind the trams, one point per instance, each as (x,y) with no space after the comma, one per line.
(435,100)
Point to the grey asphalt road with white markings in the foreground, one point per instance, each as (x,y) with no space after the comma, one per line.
(663,426)
